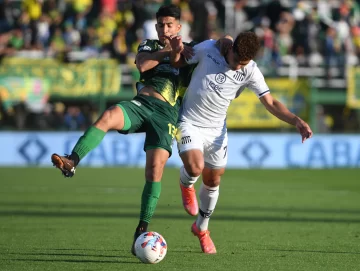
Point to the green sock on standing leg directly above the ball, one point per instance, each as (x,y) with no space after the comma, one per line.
(149,199)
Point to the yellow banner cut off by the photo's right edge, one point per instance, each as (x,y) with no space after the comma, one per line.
(353,88)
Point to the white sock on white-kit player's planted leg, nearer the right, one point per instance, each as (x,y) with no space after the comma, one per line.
(208,199)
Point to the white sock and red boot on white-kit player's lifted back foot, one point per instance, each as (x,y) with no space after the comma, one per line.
(188,192)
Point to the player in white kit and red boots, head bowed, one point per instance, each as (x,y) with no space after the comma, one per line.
(202,134)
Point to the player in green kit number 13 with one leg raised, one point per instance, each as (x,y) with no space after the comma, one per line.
(154,110)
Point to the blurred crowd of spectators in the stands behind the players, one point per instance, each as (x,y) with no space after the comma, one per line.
(320,33)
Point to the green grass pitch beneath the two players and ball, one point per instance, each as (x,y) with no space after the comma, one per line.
(265,220)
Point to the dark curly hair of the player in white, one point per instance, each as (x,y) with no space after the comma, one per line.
(246,45)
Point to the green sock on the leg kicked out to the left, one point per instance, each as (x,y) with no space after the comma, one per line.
(89,141)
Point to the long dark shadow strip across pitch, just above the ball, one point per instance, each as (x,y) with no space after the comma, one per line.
(77,214)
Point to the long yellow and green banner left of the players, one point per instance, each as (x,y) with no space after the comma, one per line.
(88,78)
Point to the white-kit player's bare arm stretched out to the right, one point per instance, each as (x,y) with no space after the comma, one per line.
(280,111)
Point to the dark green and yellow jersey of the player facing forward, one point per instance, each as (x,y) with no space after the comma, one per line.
(170,82)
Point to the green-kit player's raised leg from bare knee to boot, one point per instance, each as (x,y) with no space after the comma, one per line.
(112,118)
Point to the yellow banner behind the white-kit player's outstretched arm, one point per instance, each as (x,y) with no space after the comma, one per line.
(248,112)
